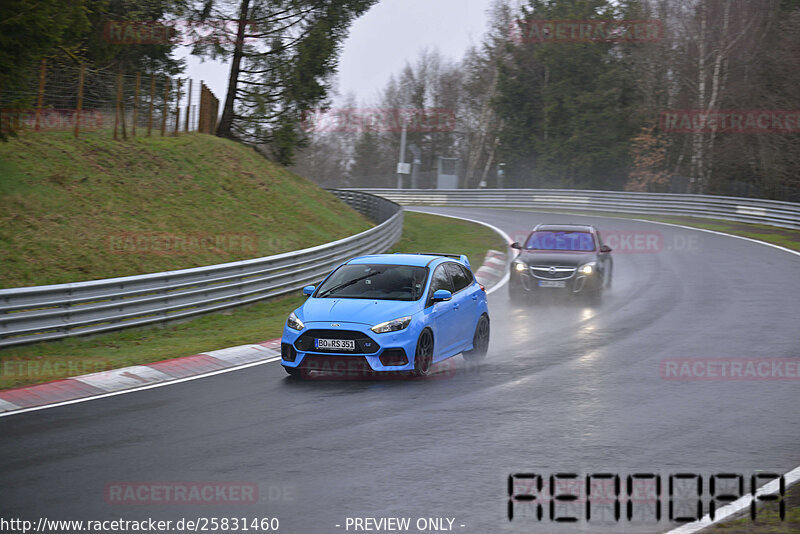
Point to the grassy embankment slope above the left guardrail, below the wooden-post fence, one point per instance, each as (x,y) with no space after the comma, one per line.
(89,208)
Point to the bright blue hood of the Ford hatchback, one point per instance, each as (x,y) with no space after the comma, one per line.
(371,312)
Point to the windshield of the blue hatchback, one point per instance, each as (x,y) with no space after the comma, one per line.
(370,281)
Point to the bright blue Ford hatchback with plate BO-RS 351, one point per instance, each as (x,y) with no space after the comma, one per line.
(388,312)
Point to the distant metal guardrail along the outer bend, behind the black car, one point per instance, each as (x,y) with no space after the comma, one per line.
(748,210)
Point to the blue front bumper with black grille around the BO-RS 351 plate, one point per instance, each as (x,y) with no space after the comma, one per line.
(372,350)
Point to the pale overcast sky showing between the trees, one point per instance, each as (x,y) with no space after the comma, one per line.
(383,40)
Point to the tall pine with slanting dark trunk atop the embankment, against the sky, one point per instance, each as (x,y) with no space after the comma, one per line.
(283,53)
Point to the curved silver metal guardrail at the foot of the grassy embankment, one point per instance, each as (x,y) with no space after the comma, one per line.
(40,313)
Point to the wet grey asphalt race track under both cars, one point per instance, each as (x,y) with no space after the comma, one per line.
(567,387)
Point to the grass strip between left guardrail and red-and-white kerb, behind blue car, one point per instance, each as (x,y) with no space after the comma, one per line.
(44,362)
